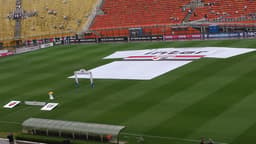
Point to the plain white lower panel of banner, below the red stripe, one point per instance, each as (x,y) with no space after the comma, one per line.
(134,70)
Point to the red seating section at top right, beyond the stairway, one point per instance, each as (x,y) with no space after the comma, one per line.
(226,11)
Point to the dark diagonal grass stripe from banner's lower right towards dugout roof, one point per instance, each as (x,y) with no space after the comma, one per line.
(152,96)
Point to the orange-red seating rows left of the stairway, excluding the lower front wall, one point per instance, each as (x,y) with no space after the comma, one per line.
(126,13)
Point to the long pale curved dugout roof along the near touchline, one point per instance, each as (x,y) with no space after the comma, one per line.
(70,126)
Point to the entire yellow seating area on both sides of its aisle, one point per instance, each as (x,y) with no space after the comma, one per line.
(45,18)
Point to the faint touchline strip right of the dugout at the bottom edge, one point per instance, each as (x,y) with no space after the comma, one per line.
(170,138)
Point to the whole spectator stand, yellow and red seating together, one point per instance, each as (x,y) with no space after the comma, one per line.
(46,19)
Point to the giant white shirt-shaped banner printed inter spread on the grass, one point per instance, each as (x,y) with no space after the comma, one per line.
(150,63)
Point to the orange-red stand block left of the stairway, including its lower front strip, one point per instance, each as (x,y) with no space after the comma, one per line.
(155,17)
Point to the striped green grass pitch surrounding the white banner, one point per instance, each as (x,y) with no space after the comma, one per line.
(213,98)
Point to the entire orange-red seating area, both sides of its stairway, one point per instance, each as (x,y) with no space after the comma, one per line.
(158,16)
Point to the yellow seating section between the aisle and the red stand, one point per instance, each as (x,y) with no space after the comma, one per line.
(56,17)
